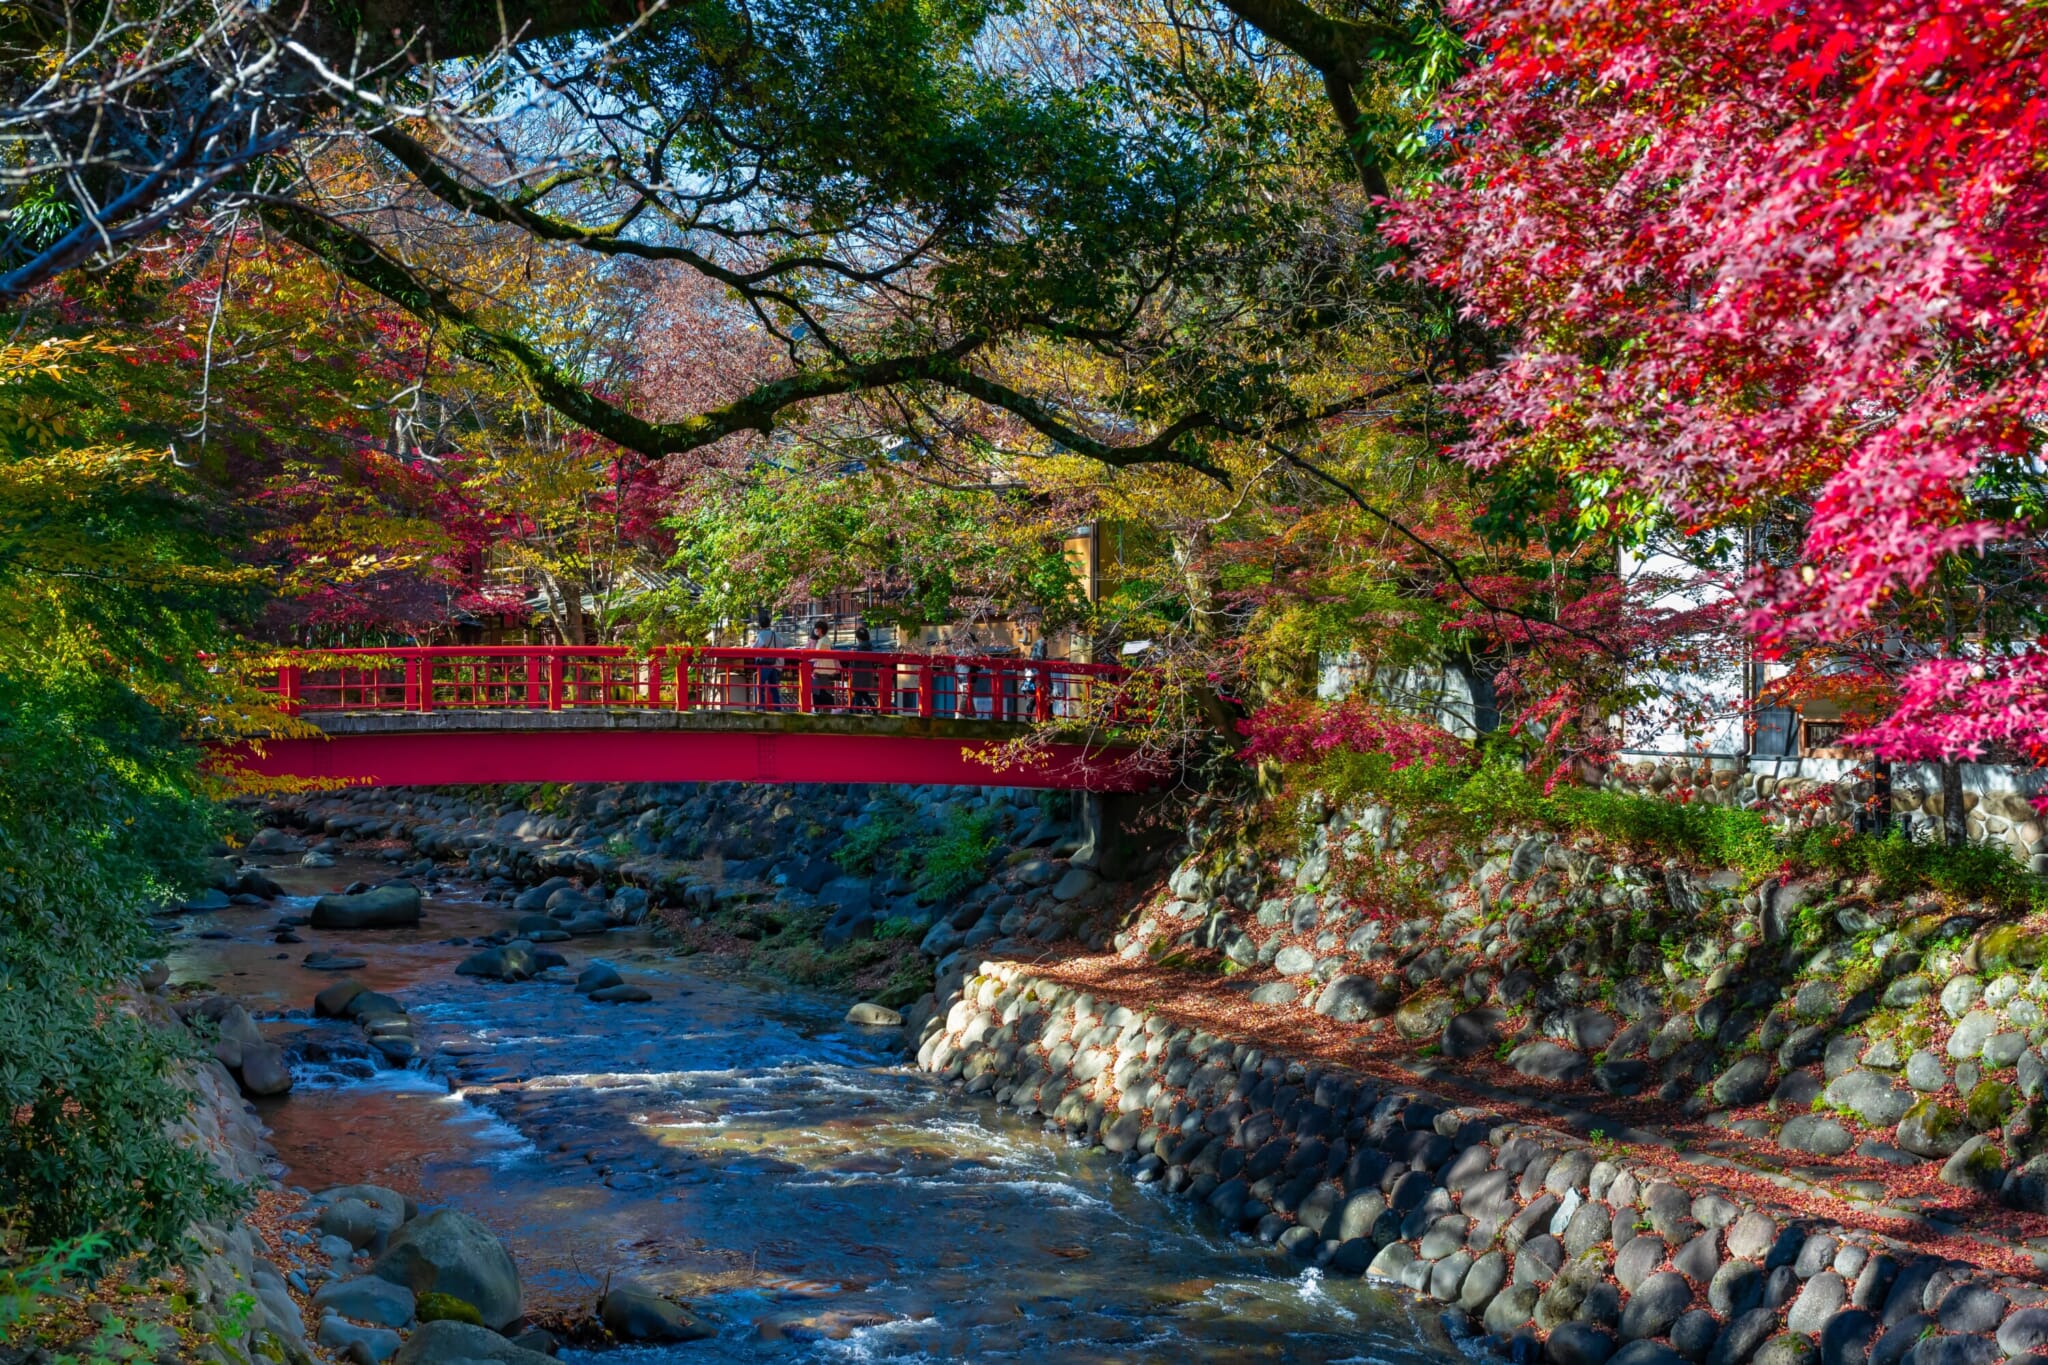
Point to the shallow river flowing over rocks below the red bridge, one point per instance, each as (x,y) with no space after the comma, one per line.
(738,1147)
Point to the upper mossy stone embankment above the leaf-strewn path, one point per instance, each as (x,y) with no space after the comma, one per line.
(1887,1051)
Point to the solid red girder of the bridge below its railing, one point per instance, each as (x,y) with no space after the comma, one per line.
(486,748)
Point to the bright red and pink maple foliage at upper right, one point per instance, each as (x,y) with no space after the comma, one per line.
(1754,255)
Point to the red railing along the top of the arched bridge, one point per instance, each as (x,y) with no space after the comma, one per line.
(703,680)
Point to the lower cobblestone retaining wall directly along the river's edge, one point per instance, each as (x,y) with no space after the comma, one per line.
(1545,1243)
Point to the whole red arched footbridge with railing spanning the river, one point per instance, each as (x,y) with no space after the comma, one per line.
(429,717)
